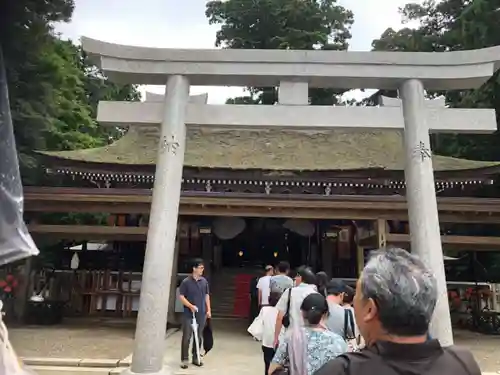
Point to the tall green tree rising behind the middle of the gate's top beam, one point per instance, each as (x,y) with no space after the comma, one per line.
(281,24)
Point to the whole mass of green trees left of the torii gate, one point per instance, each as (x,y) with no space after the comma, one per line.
(53,87)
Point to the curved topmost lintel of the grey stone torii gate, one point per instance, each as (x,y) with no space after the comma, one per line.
(346,69)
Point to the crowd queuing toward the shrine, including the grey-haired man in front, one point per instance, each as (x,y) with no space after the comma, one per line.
(311,325)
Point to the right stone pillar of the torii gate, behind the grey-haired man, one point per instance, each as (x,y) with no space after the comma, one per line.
(422,204)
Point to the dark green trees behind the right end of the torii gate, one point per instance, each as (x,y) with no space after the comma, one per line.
(453,25)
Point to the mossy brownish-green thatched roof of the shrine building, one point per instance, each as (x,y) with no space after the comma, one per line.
(269,150)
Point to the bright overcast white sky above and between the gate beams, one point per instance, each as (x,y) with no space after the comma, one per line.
(182,24)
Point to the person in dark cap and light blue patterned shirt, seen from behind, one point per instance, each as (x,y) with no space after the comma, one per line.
(308,347)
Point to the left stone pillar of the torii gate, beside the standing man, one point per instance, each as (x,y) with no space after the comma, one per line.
(149,344)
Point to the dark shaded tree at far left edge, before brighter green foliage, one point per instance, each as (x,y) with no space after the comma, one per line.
(26,40)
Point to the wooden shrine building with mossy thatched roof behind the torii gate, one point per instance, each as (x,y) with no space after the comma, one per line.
(249,198)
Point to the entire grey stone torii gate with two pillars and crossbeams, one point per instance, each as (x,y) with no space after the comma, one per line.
(294,72)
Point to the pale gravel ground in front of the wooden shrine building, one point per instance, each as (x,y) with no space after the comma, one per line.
(116,342)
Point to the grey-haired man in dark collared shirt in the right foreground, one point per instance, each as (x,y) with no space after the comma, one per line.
(395,298)
